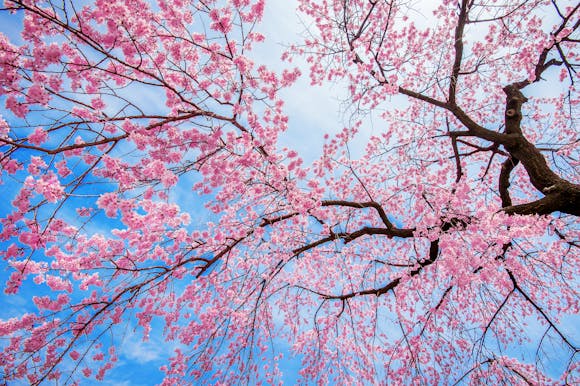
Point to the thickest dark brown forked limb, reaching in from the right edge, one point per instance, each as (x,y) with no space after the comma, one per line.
(541,176)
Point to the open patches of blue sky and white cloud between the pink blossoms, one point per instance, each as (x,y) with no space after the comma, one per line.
(313,111)
